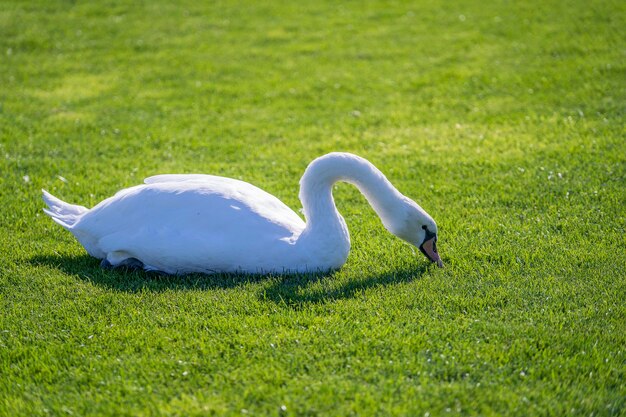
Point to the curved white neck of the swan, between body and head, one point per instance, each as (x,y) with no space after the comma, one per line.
(323,219)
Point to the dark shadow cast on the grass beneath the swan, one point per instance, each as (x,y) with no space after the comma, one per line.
(290,289)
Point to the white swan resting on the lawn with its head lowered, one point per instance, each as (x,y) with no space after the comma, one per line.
(202,223)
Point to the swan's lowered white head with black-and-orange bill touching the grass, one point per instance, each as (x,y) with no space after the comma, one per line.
(416,226)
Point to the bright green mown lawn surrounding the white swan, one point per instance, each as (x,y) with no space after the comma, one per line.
(504,120)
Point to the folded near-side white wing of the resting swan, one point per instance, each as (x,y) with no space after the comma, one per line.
(173,226)
